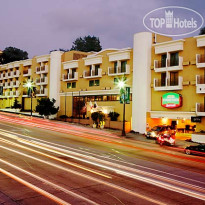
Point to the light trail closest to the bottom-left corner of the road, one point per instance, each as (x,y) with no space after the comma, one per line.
(35,188)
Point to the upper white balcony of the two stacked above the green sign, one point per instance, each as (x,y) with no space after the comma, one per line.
(168,65)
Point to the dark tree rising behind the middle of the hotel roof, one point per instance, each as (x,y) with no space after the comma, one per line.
(87,44)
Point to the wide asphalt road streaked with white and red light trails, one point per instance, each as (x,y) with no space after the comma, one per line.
(48,162)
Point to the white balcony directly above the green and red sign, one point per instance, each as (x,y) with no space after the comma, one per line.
(168,85)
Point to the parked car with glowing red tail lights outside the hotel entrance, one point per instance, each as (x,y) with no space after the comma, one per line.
(166,138)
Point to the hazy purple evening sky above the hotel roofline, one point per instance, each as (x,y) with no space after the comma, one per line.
(38,26)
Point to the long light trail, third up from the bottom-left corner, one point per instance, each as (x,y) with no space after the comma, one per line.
(127,191)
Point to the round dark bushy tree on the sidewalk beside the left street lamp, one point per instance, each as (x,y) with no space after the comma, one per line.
(46,107)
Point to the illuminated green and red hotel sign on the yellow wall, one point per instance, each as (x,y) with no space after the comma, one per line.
(171,100)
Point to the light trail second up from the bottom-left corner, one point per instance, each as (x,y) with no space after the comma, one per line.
(48,182)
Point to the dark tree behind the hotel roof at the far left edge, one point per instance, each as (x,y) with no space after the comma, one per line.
(11,54)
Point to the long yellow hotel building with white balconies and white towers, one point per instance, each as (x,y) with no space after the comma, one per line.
(166,79)
